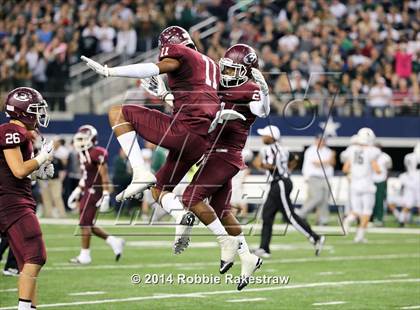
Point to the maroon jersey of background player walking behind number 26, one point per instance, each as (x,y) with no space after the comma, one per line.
(89,163)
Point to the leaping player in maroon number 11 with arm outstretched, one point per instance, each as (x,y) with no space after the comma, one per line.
(193,79)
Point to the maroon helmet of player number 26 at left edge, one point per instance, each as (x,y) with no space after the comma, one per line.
(28,106)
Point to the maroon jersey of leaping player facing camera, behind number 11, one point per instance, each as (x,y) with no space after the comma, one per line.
(232,139)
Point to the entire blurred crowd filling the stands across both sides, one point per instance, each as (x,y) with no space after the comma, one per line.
(368,52)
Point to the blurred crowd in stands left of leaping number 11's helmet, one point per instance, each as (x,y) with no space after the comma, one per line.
(39,40)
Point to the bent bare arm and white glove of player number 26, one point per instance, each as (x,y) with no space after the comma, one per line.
(21,169)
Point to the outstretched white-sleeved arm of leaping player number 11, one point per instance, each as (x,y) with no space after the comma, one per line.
(138,71)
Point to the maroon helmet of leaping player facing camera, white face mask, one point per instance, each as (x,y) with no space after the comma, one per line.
(235,66)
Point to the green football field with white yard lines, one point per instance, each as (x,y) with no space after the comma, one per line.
(382,274)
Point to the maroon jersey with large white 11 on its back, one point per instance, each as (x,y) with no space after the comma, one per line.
(194,86)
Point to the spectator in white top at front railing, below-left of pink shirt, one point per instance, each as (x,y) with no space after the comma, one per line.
(380,97)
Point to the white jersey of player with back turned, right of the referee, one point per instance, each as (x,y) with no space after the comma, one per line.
(361,171)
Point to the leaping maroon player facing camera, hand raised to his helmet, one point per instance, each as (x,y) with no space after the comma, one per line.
(242,89)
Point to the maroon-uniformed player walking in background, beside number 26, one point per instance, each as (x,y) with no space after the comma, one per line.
(93,193)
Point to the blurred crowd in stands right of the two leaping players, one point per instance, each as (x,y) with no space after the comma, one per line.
(368,52)
